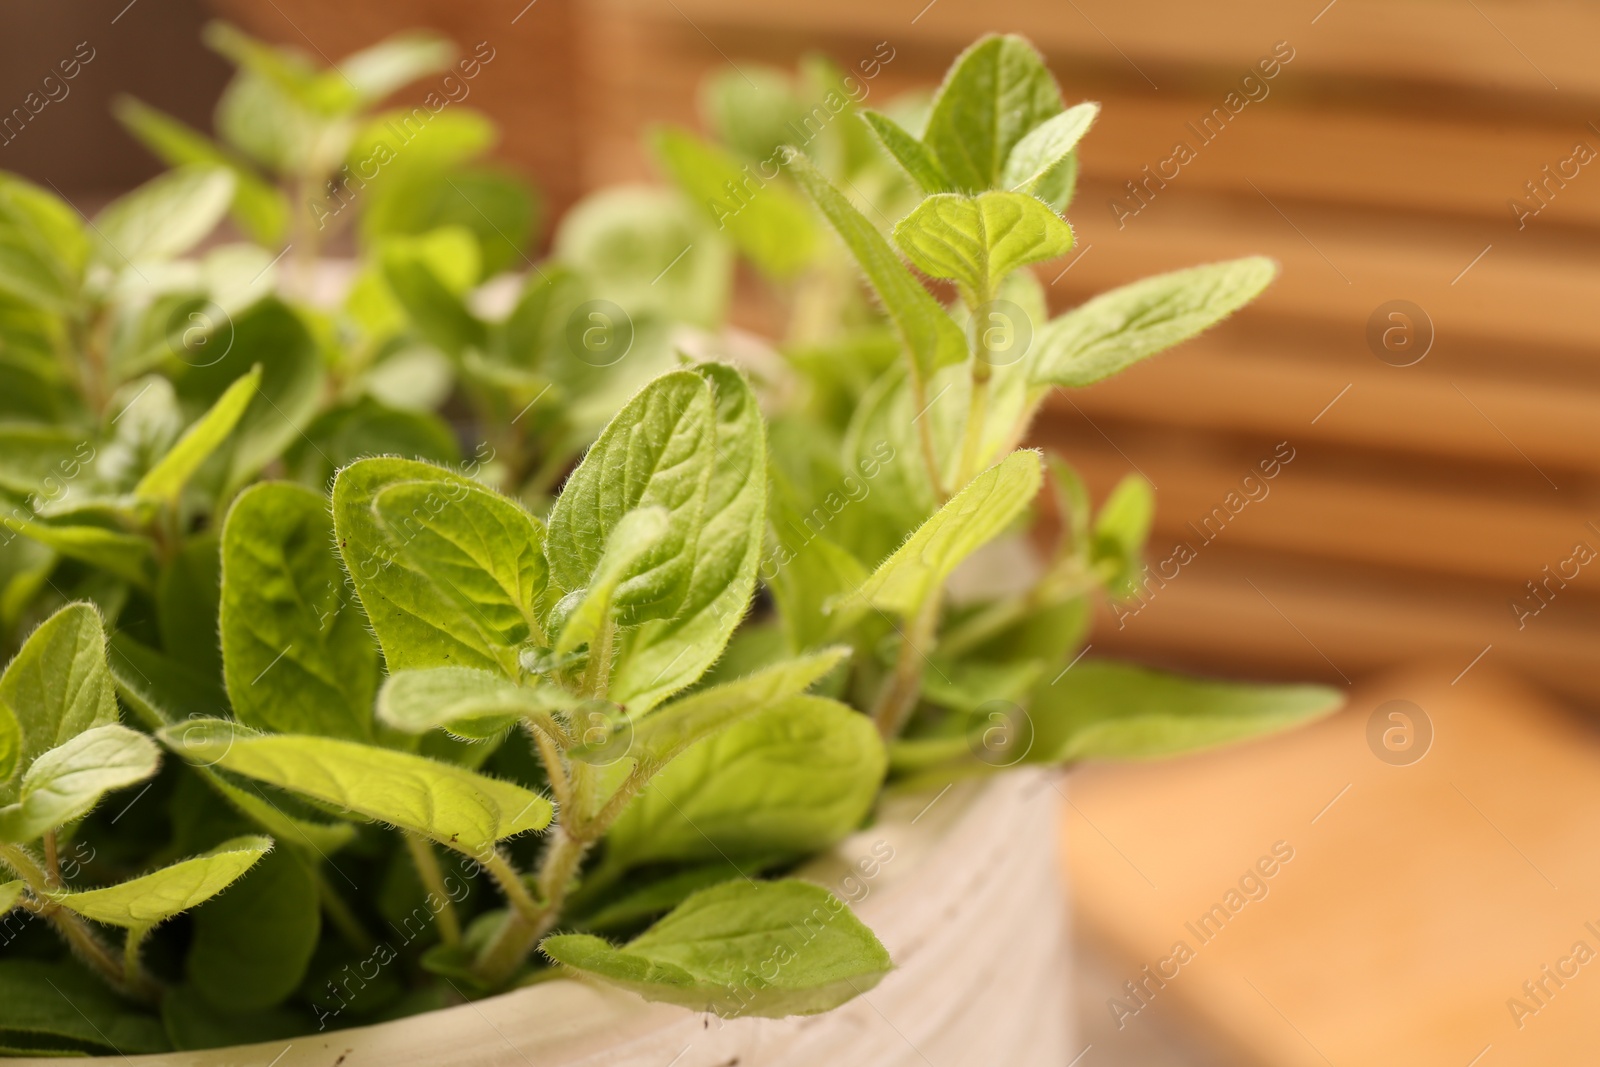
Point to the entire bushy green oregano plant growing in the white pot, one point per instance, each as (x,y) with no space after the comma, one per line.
(439,746)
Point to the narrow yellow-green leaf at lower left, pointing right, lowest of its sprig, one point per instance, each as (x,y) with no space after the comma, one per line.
(161,895)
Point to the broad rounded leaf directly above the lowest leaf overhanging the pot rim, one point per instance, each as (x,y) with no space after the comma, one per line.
(790,780)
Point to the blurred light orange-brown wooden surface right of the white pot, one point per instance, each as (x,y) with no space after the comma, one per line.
(1418,900)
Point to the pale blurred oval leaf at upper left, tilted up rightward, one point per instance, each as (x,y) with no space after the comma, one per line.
(166,217)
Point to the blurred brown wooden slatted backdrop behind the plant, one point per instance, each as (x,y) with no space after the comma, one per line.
(1423,500)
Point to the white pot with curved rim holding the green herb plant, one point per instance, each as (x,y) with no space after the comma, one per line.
(962,887)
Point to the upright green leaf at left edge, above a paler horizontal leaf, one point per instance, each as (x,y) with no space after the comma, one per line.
(58,685)
